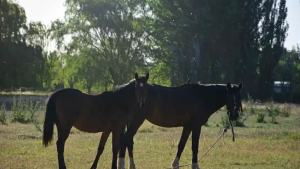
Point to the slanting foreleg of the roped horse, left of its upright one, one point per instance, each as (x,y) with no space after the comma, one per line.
(184,137)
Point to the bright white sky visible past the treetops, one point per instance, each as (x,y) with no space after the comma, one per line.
(50,10)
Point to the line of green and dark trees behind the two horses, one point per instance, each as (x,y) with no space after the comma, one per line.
(101,43)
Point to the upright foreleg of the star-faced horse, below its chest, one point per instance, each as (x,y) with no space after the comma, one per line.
(116,133)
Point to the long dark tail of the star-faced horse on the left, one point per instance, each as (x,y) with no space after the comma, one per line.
(50,118)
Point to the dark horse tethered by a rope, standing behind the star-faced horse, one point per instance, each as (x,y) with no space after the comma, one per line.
(189,106)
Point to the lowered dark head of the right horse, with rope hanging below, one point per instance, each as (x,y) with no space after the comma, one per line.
(233,101)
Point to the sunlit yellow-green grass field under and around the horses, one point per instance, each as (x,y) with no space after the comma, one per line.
(258,145)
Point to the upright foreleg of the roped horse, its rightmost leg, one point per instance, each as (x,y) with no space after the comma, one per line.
(195,146)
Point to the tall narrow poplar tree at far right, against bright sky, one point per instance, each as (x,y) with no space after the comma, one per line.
(273,34)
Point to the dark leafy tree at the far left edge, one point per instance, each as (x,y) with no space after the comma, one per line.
(21,63)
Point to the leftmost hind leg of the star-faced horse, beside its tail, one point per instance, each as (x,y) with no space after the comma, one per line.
(63,135)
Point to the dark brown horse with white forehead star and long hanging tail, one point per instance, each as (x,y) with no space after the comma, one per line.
(107,112)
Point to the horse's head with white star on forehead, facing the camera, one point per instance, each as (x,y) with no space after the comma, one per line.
(141,88)
